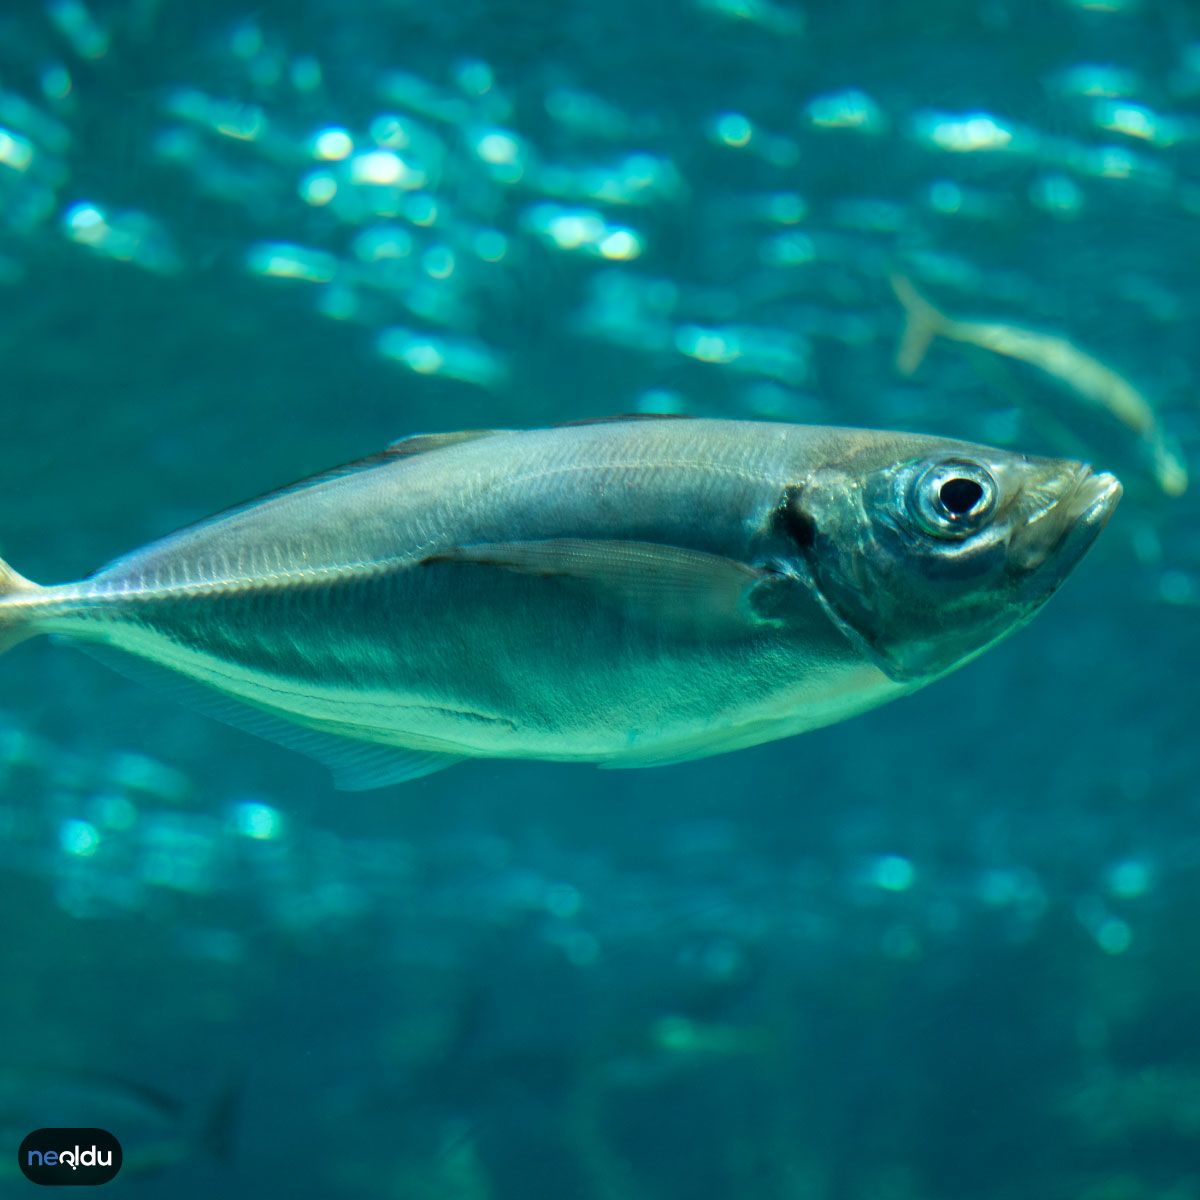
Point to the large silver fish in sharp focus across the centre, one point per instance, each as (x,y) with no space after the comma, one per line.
(628,592)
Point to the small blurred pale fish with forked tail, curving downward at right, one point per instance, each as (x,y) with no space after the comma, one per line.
(1089,381)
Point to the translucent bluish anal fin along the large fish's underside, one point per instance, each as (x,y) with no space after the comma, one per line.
(356,766)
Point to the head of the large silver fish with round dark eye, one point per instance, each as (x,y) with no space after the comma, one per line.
(928,562)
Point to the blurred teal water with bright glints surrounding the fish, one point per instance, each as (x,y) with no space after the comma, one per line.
(946,950)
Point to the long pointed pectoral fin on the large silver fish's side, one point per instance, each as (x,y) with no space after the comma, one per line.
(668,584)
